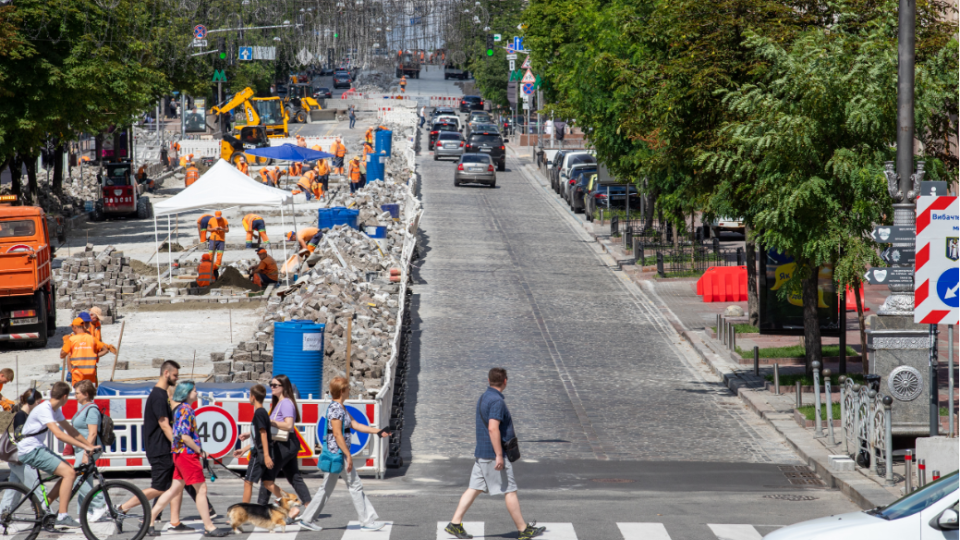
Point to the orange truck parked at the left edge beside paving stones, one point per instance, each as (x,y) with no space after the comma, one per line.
(27,296)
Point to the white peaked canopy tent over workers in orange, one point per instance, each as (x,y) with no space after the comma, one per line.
(220,187)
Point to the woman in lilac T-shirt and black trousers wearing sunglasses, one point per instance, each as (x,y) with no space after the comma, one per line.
(286,445)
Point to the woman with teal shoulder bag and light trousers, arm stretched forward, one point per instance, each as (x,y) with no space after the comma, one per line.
(339,426)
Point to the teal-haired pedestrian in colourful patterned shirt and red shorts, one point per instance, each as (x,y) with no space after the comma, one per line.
(188,469)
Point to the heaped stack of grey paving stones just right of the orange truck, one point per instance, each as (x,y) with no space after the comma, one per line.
(87,279)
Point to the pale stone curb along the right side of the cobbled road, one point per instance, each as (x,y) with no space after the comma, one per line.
(860,489)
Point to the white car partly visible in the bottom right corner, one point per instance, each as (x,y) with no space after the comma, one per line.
(926,514)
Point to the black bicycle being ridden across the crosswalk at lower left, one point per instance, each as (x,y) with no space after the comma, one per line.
(18,517)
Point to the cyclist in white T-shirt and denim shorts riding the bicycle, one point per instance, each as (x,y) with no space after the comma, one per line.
(33,451)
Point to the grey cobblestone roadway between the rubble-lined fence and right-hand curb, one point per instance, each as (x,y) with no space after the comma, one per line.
(506,280)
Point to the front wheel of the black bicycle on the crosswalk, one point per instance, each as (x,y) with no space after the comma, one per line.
(101,518)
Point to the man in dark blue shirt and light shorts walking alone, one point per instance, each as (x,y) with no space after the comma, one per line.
(491,472)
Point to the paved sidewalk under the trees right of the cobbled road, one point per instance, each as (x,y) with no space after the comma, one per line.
(693,319)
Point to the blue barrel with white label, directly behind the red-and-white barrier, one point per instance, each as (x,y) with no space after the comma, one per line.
(298,354)
